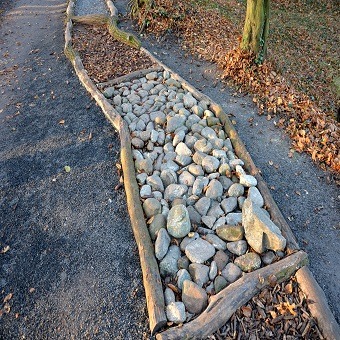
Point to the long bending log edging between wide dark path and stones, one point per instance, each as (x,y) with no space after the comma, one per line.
(151,277)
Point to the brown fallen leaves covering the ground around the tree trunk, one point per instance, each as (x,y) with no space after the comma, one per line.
(298,83)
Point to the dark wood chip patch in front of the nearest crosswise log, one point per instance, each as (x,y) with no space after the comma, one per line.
(280,312)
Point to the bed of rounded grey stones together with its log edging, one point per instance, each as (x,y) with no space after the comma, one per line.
(209,234)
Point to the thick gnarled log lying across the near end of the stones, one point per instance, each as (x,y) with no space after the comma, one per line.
(225,303)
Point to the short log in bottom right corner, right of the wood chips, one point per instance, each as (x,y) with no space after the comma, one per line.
(317,304)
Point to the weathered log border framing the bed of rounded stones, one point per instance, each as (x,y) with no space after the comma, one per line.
(151,278)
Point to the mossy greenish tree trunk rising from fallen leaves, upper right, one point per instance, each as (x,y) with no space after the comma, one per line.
(256,28)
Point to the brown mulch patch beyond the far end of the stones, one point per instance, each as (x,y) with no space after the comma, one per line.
(105,58)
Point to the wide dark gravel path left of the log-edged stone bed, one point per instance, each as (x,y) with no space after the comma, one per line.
(68,254)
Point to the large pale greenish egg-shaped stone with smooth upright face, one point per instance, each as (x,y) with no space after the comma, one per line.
(178,222)
